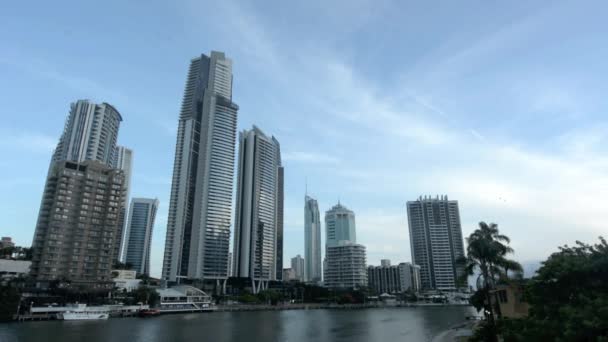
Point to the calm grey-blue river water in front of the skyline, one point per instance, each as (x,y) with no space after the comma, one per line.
(390,325)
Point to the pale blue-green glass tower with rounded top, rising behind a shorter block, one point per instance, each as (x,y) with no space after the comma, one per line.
(339,225)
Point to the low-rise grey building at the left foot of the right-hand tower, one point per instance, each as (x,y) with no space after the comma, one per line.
(393,279)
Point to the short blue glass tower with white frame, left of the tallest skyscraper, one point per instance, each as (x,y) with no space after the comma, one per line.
(138,241)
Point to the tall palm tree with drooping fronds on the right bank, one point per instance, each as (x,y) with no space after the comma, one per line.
(486,254)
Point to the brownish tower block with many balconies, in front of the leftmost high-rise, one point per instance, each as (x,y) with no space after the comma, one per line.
(78,224)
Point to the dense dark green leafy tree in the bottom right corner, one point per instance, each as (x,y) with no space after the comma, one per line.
(568,298)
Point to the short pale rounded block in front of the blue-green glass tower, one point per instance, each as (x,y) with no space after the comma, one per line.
(346,266)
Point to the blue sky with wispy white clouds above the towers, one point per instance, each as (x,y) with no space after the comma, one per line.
(499,105)
